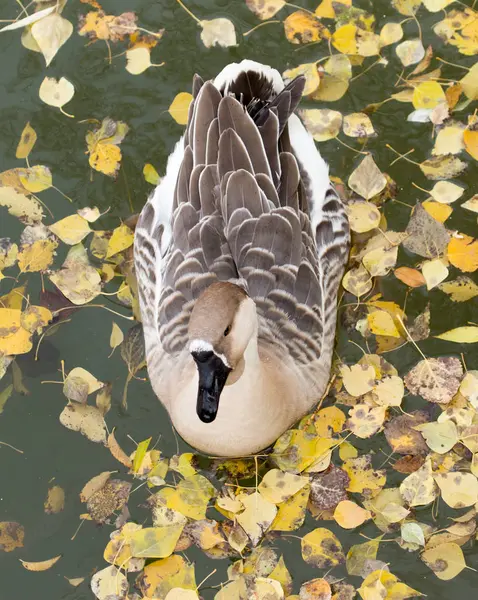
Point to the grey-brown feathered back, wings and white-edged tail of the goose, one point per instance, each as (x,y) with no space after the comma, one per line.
(252,204)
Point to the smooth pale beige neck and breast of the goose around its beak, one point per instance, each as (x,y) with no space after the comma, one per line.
(254,409)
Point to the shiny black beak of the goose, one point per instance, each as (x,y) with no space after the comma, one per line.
(212,378)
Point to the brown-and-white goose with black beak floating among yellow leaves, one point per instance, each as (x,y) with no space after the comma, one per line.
(239,253)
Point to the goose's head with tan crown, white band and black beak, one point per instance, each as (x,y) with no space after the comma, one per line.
(222,323)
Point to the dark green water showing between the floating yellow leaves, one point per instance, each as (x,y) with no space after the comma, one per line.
(30,422)
